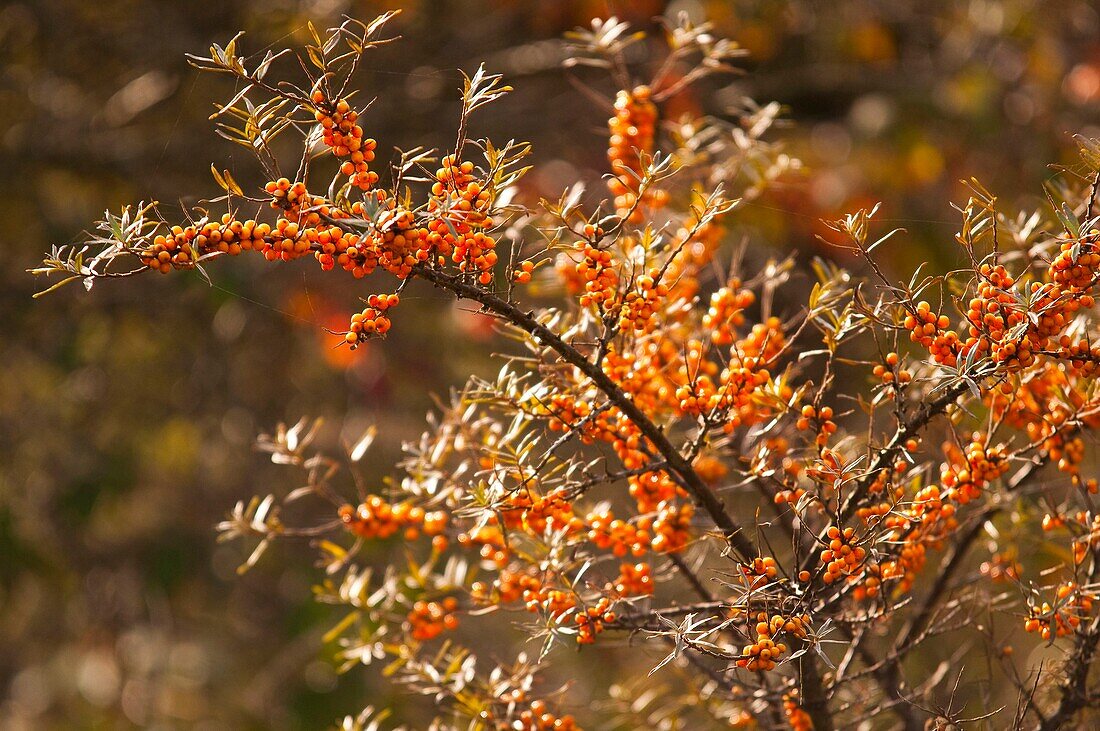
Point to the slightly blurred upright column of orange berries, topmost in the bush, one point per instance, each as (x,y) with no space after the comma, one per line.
(633,131)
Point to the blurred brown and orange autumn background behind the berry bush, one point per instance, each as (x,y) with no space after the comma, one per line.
(127,415)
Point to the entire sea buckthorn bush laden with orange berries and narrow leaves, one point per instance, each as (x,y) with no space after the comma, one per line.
(653,376)
